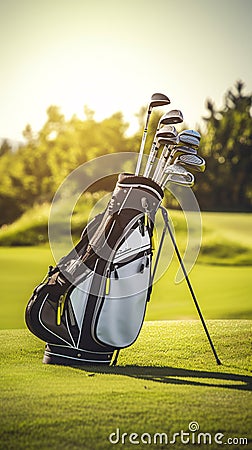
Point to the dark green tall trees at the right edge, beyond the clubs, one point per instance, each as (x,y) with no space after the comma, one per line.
(227,148)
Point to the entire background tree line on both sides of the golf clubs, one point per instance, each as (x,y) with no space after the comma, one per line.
(32,173)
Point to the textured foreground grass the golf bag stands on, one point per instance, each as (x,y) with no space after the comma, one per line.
(166,380)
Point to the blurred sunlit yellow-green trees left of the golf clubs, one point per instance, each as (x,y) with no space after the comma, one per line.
(35,170)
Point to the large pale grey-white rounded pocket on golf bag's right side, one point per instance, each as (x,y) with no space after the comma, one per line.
(123,308)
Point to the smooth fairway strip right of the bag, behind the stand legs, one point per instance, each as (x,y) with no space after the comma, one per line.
(222,292)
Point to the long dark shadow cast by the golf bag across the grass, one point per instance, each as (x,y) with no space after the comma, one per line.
(178,376)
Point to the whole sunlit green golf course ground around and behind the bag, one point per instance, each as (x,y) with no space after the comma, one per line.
(166,388)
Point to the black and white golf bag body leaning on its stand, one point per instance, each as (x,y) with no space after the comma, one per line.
(93,302)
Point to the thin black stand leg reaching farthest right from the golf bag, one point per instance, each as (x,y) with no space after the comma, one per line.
(166,220)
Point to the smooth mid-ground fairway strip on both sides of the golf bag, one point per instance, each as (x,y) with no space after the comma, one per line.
(222,292)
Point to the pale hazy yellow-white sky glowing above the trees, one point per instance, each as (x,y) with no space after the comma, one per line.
(112,55)
